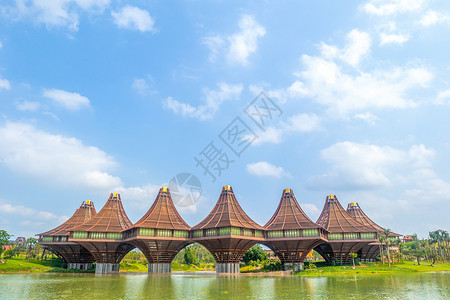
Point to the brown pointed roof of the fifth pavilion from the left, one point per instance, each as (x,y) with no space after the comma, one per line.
(289,214)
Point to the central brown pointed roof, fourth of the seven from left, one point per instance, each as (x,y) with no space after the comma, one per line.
(227,212)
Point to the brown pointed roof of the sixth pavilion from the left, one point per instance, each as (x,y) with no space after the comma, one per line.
(335,219)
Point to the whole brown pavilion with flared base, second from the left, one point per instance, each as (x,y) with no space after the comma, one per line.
(102,235)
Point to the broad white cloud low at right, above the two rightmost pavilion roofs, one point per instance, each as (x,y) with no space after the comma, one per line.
(366,166)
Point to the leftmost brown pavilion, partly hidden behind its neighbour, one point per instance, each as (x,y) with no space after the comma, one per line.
(57,239)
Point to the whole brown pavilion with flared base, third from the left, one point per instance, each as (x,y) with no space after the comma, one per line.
(160,234)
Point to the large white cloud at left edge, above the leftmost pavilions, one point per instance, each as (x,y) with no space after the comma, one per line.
(27,150)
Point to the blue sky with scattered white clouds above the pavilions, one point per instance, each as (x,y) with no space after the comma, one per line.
(103,96)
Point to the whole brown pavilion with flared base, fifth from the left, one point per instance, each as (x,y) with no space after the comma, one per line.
(291,234)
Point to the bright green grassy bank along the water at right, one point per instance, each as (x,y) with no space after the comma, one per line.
(378,268)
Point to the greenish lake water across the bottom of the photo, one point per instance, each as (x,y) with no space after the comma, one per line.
(210,286)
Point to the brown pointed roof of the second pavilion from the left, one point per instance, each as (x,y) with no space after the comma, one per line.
(111,218)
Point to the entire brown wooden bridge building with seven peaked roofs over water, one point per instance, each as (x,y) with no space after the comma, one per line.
(227,232)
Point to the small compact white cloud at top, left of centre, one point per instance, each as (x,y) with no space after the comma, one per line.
(134,18)
